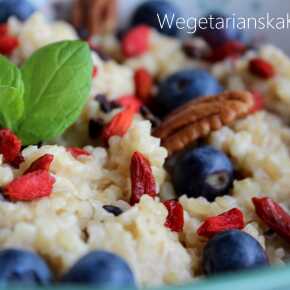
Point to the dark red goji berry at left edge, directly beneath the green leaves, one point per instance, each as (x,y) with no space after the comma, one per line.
(10,145)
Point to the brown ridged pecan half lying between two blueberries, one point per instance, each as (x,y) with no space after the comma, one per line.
(196,119)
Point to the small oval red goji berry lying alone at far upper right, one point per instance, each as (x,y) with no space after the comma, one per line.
(261,68)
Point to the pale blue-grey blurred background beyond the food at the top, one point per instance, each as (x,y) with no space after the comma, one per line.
(244,8)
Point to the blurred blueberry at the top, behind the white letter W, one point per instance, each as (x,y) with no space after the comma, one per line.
(147,12)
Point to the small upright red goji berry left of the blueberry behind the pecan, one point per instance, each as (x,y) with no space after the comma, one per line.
(143,84)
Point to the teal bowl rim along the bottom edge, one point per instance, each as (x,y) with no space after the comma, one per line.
(270,278)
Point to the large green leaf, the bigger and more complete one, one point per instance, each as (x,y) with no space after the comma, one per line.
(57,81)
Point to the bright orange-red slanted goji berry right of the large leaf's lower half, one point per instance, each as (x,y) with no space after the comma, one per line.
(119,125)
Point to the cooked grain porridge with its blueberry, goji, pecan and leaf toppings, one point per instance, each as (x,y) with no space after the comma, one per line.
(120,188)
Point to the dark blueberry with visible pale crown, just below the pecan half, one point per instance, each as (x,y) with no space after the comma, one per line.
(203,171)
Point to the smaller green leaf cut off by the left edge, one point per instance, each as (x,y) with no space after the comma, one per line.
(11,94)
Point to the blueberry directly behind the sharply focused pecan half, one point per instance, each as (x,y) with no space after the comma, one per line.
(184,86)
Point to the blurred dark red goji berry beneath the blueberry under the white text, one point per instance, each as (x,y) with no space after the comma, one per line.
(231,49)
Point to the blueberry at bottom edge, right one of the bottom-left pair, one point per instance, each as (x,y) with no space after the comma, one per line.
(101,269)
